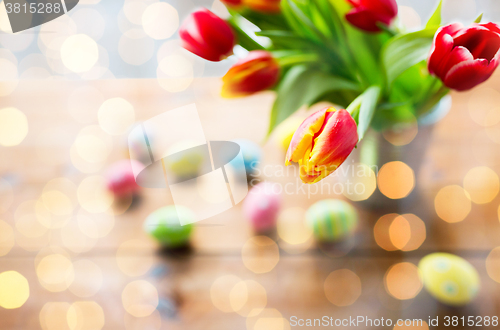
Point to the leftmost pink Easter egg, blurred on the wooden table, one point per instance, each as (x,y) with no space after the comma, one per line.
(120,177)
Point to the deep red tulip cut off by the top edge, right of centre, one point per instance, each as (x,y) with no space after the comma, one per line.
(366,14)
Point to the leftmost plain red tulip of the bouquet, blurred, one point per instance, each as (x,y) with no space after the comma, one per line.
(207,35)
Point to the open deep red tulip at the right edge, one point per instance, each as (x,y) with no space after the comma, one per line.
(465,57)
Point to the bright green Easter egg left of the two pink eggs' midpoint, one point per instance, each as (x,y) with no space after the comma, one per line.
(164,226)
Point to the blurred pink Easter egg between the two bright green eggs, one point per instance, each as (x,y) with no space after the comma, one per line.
(261,206)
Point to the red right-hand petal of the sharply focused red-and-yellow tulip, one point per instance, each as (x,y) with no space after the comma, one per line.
(336,141)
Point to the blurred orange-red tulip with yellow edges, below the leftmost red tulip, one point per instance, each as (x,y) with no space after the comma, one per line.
(257,72)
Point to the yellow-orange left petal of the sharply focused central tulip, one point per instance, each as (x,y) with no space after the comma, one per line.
(302,140)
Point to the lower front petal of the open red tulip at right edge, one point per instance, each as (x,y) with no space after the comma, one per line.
(466,75)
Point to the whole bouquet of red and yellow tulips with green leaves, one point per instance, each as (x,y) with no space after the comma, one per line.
(352,53)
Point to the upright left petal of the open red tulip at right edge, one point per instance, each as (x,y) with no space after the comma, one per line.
(442,46)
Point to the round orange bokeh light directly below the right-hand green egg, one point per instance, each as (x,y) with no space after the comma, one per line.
(342,287)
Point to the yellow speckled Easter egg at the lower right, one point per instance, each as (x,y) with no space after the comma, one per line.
(448,278)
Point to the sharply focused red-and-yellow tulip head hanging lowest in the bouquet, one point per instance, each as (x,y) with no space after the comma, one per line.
(322,143)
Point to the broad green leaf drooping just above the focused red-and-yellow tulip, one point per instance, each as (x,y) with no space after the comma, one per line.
(302,86)
